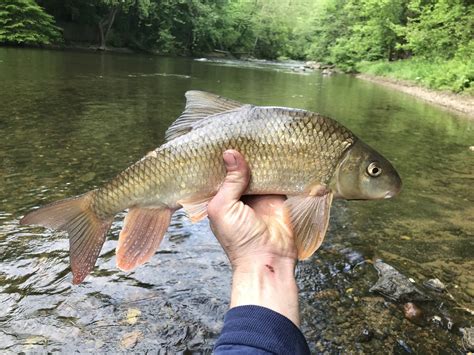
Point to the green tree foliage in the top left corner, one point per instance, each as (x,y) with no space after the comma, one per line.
(24,22)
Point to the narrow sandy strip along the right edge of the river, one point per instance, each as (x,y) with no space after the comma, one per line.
(459,103)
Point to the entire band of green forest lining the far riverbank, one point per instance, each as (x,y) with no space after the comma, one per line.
(426,41)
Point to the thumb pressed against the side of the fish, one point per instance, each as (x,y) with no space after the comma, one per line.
(235,182)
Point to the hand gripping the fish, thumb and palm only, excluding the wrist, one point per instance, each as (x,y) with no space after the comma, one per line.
(254,227)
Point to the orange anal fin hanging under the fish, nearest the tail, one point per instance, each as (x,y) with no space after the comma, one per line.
(141,235)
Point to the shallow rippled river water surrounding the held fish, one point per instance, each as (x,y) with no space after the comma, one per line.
(69,121)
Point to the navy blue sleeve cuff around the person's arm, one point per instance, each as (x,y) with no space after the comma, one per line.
(259,330)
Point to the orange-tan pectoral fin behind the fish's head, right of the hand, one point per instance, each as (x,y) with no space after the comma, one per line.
(309,215)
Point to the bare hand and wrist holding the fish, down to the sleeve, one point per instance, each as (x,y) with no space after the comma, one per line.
(258,240)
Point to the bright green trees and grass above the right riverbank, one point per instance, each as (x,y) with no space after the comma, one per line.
(373,35)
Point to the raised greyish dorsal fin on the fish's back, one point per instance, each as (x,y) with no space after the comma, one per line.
(199,105)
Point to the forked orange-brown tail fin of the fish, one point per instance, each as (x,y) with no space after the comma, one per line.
(86,231)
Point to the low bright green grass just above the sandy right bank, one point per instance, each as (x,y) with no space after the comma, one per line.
(454,75)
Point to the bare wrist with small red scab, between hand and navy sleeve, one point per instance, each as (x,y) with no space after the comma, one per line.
(268,282)
